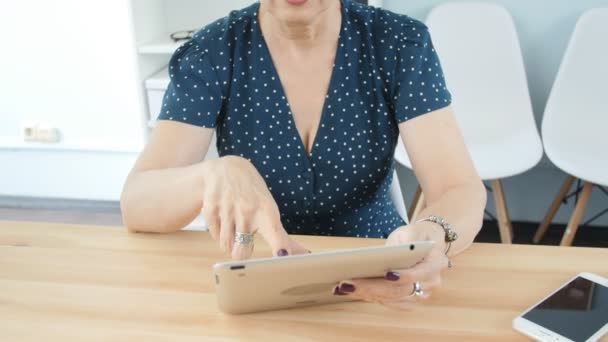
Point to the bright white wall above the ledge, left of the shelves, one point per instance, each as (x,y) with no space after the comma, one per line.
(70,64)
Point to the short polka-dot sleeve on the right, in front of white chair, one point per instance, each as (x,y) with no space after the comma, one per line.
(420,85)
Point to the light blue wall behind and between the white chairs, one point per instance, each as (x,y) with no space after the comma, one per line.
(544,28)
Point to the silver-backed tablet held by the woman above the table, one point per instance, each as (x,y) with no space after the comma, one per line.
(299,280)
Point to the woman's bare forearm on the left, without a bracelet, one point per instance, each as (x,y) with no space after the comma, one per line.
(163,200)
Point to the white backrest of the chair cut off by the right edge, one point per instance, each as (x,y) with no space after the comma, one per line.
(576,115)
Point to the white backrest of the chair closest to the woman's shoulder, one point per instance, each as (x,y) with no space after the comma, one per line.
(481,56)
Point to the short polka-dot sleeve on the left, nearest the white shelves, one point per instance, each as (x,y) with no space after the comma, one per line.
(194,93)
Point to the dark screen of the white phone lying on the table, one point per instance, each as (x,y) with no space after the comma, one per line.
(577,311)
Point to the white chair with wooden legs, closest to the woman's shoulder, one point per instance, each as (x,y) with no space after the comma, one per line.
(483,65)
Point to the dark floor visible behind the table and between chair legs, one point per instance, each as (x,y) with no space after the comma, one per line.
(523,232)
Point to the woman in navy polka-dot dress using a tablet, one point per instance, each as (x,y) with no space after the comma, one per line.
(308,98)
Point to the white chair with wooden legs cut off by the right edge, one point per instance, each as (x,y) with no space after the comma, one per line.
(576,117)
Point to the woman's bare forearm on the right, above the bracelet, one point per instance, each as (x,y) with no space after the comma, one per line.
(463,207)
